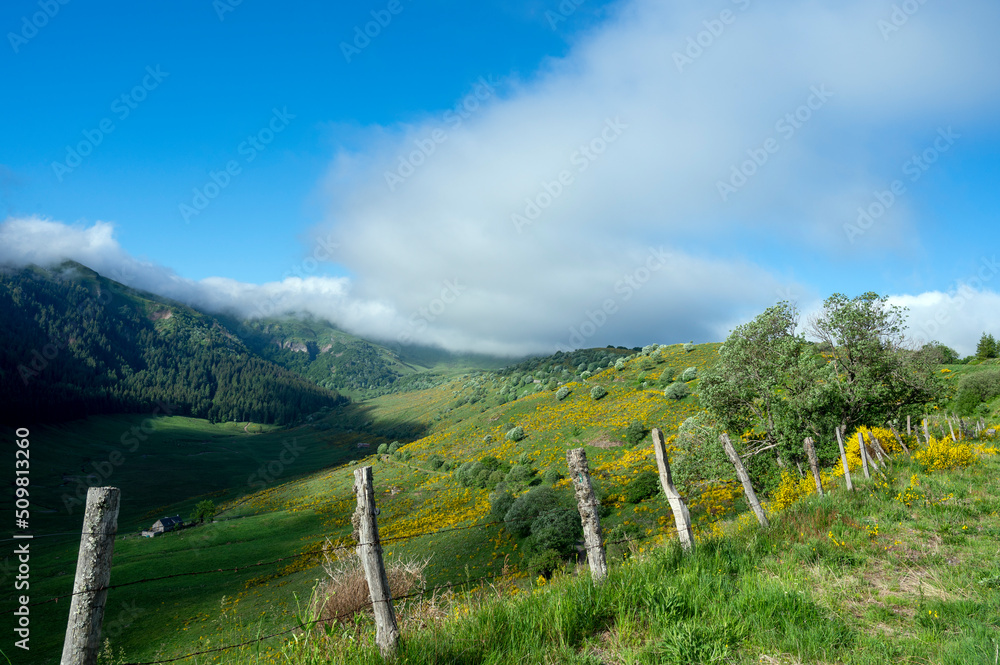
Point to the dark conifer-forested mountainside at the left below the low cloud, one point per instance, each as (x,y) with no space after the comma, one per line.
(73,343)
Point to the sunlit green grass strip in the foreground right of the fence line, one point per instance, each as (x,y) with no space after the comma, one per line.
(788,594)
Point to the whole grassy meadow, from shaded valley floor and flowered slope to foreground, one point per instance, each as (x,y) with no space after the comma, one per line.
(819,577)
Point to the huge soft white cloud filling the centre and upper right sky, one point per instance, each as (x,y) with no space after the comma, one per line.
(430,201)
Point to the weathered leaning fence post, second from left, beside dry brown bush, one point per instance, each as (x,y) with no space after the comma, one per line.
(370,552)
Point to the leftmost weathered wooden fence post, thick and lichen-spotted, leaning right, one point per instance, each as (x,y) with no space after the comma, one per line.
(93,573)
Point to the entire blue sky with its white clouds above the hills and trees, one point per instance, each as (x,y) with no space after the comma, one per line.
(502,176)
